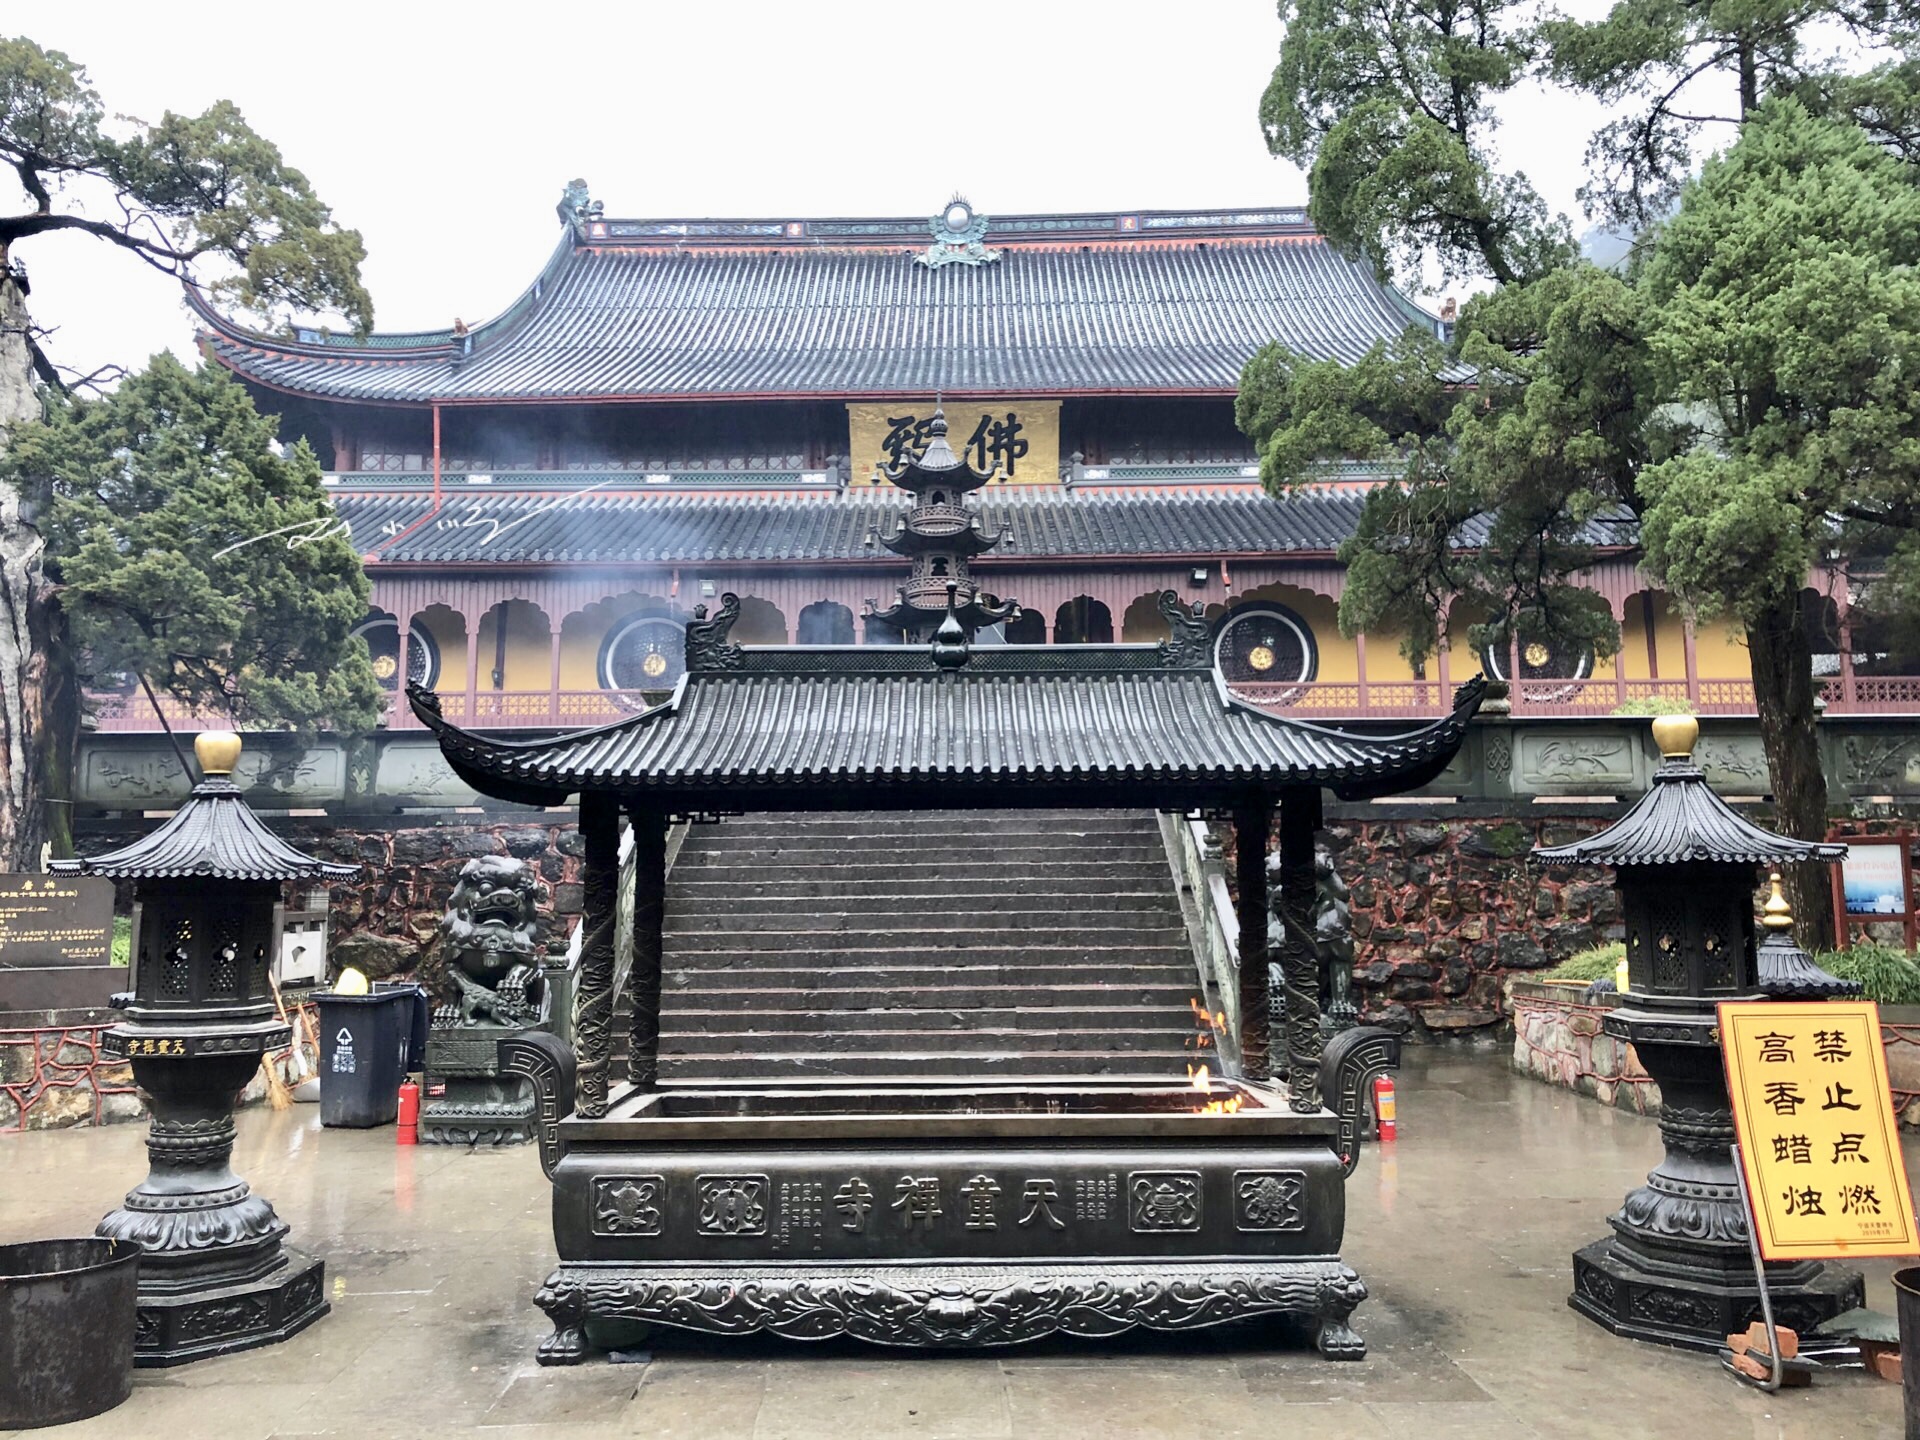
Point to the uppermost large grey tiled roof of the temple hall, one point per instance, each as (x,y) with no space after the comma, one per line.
(1141,314)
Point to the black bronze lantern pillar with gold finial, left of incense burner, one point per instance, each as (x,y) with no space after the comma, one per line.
(214,1274)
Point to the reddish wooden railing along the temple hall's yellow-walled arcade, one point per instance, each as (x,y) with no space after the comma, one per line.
(1320,700)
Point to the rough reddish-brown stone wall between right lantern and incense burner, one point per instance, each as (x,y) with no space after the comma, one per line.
(1445,911)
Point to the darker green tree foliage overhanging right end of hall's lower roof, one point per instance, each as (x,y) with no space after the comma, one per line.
(1504,489)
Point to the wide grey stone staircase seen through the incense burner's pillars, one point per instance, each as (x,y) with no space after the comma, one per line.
(926,944)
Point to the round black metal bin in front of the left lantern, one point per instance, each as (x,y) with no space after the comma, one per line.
(66,1330)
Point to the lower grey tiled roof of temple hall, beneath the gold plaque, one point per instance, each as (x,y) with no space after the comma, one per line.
(604,527)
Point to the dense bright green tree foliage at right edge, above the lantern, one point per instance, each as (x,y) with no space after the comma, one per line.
(1788,324)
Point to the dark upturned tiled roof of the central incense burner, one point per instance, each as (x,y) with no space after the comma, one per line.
(890,727)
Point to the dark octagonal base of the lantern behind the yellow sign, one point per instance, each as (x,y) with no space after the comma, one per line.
(1612,1287)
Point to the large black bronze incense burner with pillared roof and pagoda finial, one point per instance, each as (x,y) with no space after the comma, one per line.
(965,1212)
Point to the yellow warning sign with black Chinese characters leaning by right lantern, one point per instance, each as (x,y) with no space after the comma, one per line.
(1817,1130)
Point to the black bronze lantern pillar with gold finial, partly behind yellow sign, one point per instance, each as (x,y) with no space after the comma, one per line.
(1679,1268)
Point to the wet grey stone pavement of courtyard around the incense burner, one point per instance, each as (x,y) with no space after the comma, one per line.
(1462,1232)
